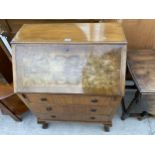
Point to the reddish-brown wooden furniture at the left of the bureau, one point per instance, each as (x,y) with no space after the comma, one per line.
(10,103)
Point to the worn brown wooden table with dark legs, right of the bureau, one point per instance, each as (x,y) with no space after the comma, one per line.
(141,65)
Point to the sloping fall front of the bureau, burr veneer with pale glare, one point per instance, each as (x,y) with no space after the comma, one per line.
(70,69)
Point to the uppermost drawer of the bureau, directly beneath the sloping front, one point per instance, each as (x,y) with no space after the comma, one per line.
(49,99)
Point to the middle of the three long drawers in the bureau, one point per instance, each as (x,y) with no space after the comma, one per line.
(71,109)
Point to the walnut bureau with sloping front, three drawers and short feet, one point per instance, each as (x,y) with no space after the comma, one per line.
(70,72)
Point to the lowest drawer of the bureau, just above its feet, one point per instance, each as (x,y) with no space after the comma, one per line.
(75,117)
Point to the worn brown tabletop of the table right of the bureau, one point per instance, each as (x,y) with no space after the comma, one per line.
(141,64)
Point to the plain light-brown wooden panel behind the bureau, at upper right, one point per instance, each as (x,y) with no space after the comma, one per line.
(140,33)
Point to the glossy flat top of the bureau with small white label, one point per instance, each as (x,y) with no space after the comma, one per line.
(70,33)
